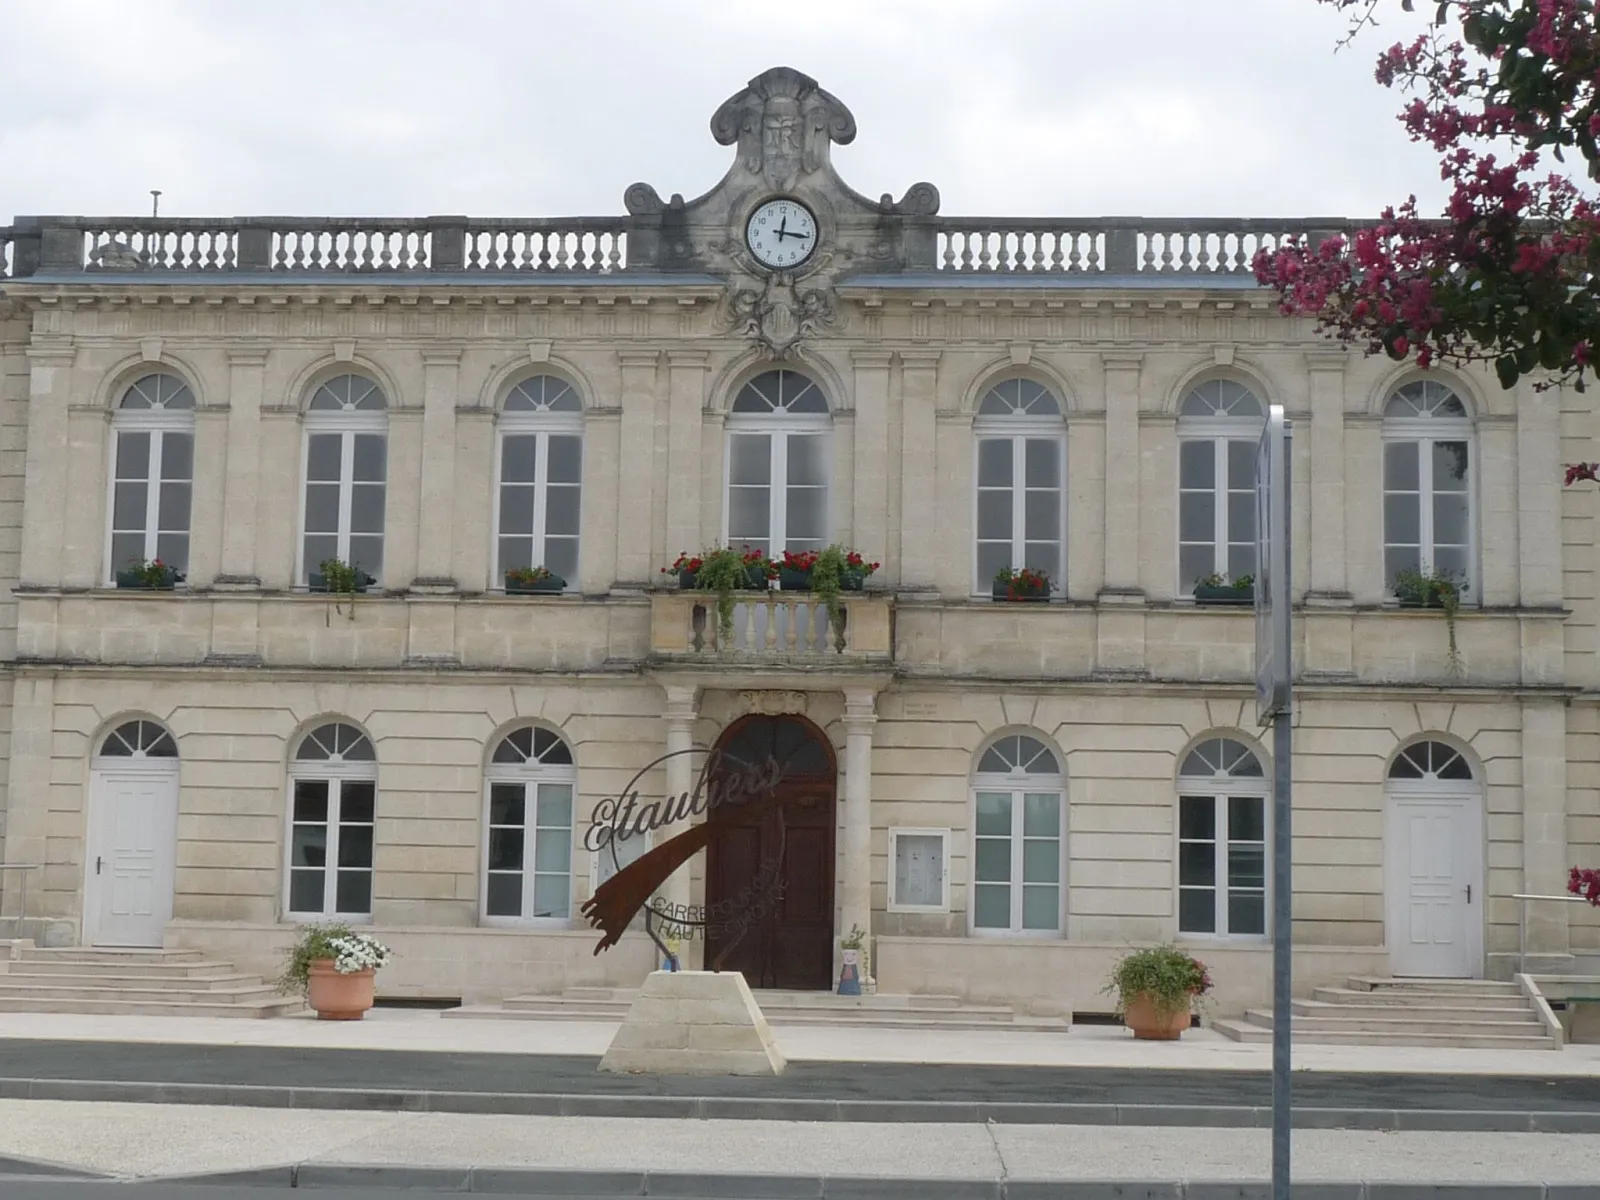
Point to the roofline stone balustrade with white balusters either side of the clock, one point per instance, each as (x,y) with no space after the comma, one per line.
(607,246)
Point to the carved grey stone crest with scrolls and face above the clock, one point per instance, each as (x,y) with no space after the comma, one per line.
(785,126)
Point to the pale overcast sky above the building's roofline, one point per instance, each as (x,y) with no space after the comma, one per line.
(553,108)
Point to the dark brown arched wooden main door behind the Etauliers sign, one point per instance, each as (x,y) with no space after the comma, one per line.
(793,946)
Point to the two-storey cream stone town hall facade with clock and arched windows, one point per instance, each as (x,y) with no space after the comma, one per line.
(1010,793)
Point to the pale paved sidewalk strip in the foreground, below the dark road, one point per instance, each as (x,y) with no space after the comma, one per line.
(151,1142)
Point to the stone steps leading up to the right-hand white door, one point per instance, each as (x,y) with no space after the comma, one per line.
(1377,1012)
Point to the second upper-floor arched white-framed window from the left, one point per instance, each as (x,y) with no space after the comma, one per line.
(346,470)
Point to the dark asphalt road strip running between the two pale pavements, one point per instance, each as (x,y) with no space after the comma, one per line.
(545,1074)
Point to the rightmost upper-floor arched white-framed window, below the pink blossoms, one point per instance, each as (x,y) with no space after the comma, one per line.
(1430,521)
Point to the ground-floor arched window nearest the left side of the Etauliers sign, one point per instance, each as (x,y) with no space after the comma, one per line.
(529,855)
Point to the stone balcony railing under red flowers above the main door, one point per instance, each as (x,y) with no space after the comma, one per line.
(772,626)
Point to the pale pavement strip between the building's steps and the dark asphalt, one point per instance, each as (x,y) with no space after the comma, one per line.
(1079,1047)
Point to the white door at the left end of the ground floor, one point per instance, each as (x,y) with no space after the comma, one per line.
(132,850)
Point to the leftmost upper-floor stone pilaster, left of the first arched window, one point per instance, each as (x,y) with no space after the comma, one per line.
(49,390)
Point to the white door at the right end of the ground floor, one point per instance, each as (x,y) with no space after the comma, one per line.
(1436,886)
